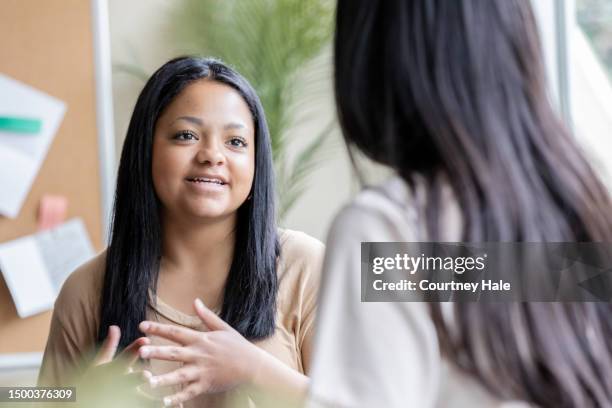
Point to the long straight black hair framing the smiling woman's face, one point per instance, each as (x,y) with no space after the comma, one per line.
(134,251)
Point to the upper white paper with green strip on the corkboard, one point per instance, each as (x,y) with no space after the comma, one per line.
(21,156)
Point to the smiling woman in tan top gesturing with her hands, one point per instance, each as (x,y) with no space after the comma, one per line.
(194,225)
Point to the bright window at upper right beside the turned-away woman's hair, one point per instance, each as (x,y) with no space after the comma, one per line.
(577,43)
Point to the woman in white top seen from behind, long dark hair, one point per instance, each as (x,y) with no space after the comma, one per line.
(451,95)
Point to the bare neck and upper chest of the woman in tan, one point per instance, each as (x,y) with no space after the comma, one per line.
(195,262)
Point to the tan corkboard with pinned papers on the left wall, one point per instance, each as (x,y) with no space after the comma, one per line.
(49,45)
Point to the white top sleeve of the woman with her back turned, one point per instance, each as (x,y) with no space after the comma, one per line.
(368,354)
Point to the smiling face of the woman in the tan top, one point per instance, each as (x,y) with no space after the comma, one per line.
(204,152)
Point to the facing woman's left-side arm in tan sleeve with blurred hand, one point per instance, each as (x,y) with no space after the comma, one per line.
(69,358)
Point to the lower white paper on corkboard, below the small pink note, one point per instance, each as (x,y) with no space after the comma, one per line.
(36,266)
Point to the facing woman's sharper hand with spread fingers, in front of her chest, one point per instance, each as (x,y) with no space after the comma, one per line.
(213,361)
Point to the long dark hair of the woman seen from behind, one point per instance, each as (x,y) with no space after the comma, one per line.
(457,88)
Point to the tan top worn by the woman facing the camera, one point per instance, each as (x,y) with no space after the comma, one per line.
(74,325)
